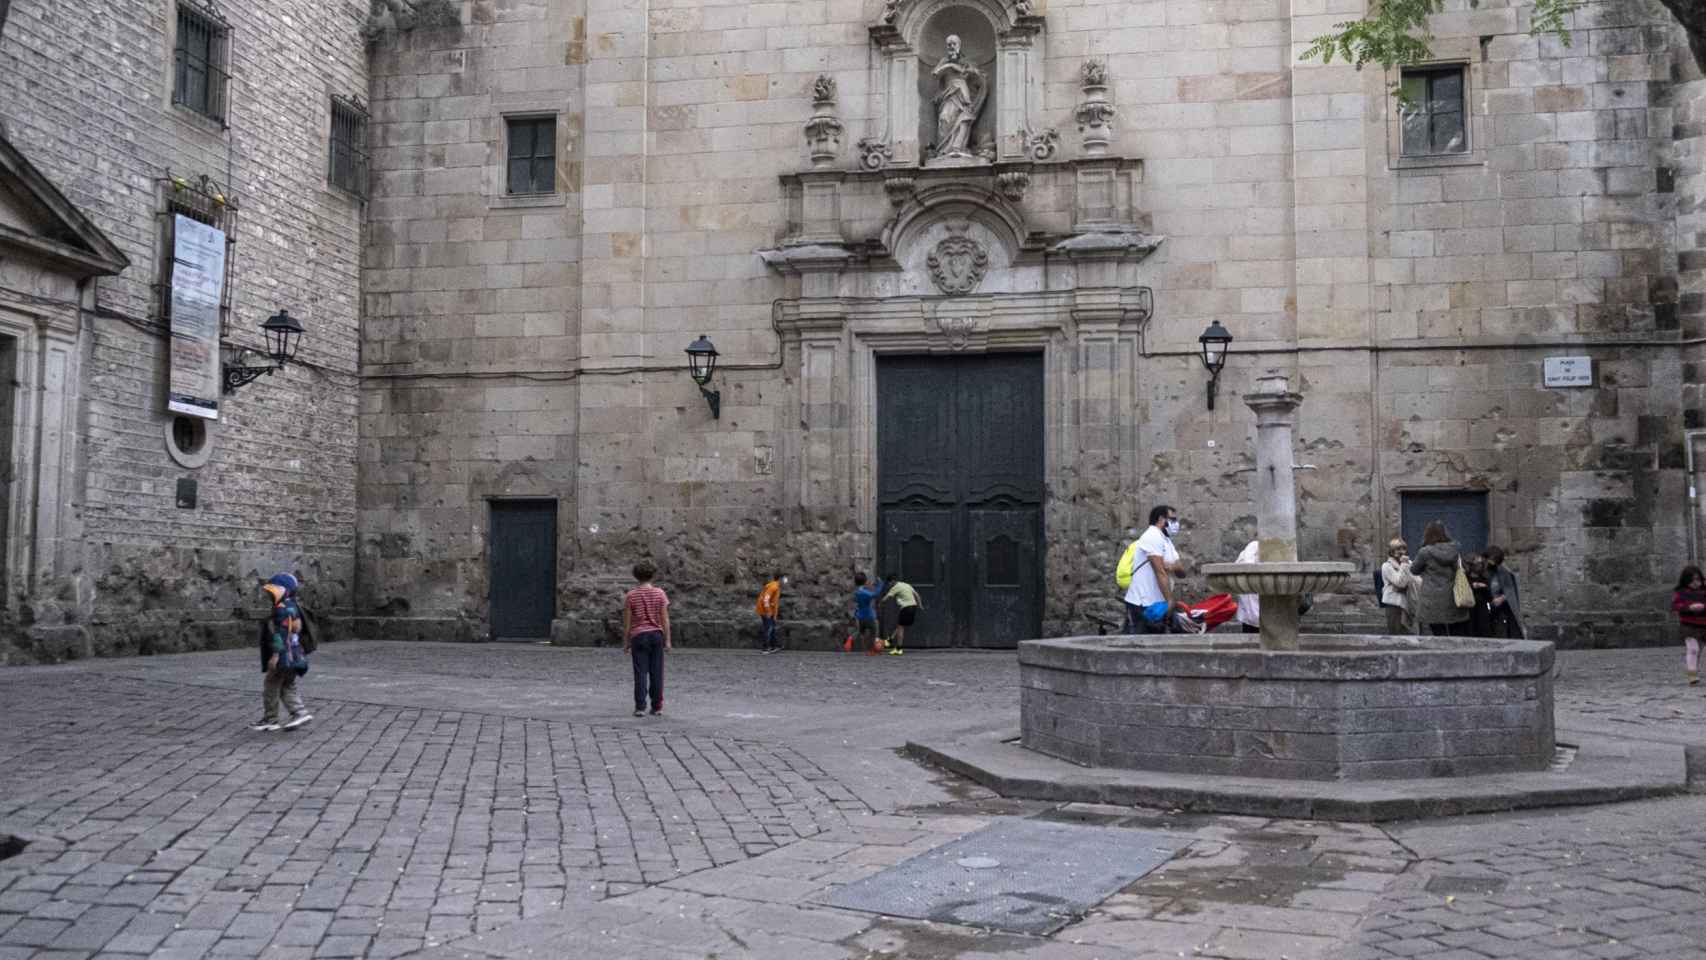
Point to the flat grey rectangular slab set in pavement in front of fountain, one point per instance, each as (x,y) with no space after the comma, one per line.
(1016,876)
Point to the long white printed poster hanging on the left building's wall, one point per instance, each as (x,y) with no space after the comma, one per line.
(199,282)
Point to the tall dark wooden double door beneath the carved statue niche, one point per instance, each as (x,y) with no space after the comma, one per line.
(960,494)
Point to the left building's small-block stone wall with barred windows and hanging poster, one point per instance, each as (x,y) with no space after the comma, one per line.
(86,95)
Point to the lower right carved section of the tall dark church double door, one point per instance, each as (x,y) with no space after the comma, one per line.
(1006,604)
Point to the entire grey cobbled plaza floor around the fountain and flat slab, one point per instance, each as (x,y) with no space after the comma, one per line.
(484,802)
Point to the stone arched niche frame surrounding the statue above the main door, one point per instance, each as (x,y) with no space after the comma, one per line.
(999,37)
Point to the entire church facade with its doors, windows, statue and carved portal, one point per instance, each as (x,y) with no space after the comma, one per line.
(956,258)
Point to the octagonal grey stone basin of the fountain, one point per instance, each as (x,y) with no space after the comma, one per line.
(1337,708)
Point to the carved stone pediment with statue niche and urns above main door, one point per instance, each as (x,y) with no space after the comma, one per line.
(961,137)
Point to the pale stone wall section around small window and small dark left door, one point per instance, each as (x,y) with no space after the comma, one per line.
(472,320)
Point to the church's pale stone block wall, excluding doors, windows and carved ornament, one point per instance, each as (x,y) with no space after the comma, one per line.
(1413,303)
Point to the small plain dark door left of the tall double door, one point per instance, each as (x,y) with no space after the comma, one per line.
(523,569)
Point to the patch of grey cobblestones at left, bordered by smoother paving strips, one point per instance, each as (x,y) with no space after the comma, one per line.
(165,826)
